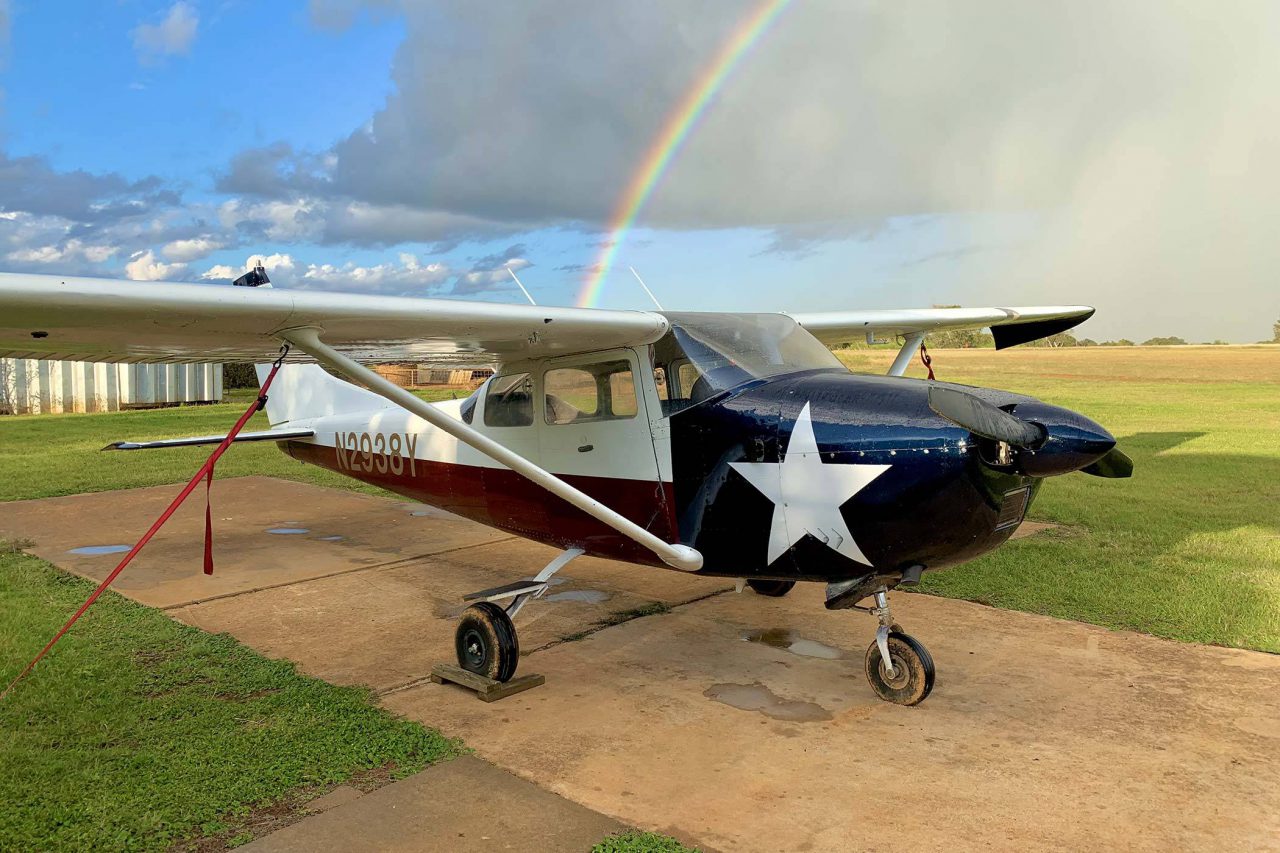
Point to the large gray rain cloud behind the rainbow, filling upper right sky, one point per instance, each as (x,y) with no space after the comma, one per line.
(1144,135)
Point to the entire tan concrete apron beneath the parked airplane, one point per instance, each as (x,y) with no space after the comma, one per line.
(735,722)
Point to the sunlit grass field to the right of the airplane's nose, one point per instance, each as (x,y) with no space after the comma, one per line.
(1190,549)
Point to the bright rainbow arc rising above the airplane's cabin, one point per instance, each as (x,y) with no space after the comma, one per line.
(671,138)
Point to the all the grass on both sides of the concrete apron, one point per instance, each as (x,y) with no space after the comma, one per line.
(149,732)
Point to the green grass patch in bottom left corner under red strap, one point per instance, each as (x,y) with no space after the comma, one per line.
(139,732)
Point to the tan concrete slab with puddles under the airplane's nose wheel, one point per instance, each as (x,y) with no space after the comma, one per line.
(1040,733)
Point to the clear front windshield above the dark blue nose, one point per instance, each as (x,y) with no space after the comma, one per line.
(710,353)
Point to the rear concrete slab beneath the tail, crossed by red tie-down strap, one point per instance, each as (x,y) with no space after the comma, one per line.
(168,572)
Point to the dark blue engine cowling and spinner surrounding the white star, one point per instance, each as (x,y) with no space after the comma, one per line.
(947,498)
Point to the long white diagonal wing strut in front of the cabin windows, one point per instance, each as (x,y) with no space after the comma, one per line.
(678,556)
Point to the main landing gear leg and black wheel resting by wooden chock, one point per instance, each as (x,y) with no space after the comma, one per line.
(486,640)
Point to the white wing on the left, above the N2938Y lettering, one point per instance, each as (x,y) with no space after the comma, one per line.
(88,320)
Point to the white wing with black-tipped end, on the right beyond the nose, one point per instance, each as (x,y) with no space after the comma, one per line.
(1011,327)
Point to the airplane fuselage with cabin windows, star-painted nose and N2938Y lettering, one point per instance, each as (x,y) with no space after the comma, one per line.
(743,439)
